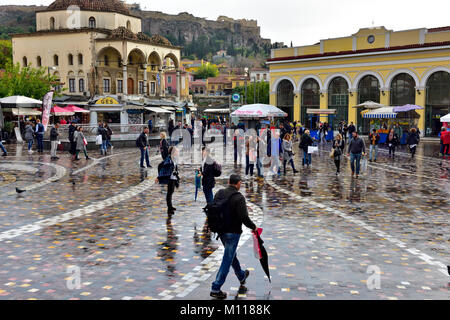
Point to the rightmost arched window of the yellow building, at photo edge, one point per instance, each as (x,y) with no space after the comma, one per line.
(437,101)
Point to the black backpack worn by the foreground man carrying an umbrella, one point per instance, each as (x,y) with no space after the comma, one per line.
(218,214)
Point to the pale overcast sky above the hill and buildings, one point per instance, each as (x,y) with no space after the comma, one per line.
(307,21)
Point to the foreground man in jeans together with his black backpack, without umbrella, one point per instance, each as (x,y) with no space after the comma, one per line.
(225,217)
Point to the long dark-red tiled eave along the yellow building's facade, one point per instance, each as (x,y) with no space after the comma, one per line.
(341,53)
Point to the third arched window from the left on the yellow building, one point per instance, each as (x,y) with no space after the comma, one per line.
(338,99)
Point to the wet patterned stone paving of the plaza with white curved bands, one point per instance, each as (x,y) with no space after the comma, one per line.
(106,221)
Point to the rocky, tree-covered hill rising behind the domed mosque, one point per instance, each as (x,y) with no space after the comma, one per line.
(198,36)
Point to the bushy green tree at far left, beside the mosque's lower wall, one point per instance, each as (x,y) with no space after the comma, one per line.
(27,81)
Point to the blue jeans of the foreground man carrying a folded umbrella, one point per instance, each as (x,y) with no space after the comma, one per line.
(230,242)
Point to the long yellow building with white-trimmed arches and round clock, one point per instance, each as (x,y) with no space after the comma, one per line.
(393,68)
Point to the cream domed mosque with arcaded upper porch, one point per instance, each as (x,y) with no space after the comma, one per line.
(97,48)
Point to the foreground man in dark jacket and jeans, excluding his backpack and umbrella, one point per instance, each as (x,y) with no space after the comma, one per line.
(238,215)
